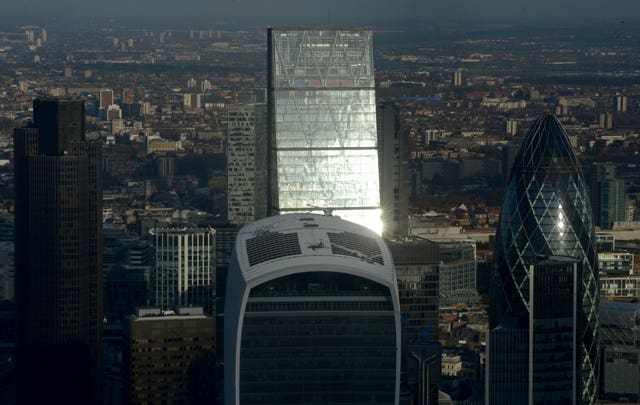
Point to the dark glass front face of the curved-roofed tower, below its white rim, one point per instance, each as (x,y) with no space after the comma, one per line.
(304,342)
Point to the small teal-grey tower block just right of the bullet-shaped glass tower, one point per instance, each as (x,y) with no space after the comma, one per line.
(608,195)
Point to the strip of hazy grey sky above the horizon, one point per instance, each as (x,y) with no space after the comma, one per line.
(340,10)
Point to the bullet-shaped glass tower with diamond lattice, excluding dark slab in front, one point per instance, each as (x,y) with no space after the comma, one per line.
(546,213)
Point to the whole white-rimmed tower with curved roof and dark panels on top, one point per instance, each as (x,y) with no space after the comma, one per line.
(312,315)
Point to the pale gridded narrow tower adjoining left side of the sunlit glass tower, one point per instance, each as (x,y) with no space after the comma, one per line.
(246,162)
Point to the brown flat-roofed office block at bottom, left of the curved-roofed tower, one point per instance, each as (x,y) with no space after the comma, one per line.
(169,358)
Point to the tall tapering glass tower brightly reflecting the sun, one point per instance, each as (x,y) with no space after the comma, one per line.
(322,124)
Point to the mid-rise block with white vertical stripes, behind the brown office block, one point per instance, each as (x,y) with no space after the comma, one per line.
(185,267)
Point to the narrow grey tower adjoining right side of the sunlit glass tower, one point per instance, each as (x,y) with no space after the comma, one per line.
(393,159)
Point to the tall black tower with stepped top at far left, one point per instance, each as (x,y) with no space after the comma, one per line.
(58,217)
